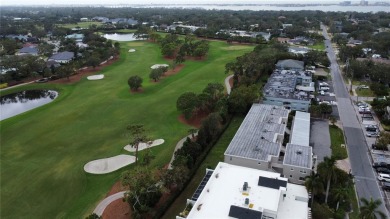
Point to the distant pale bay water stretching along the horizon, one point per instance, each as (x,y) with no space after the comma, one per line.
(326,8)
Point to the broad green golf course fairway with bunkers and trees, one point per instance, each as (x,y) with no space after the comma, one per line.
(43,151)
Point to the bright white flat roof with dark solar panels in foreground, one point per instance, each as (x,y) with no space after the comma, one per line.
(225,189)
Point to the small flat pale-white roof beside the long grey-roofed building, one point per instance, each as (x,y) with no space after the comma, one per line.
(301,129)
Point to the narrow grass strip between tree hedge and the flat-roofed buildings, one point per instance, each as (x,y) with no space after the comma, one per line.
(211,161)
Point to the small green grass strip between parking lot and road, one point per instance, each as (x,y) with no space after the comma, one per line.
(337,138)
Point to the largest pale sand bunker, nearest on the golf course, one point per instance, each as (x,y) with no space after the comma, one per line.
(108,165)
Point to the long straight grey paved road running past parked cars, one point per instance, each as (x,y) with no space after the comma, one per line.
(365,179)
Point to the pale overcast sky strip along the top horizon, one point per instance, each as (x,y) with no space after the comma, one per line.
(97,2)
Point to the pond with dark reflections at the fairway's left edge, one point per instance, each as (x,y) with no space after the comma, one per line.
(16,103)
